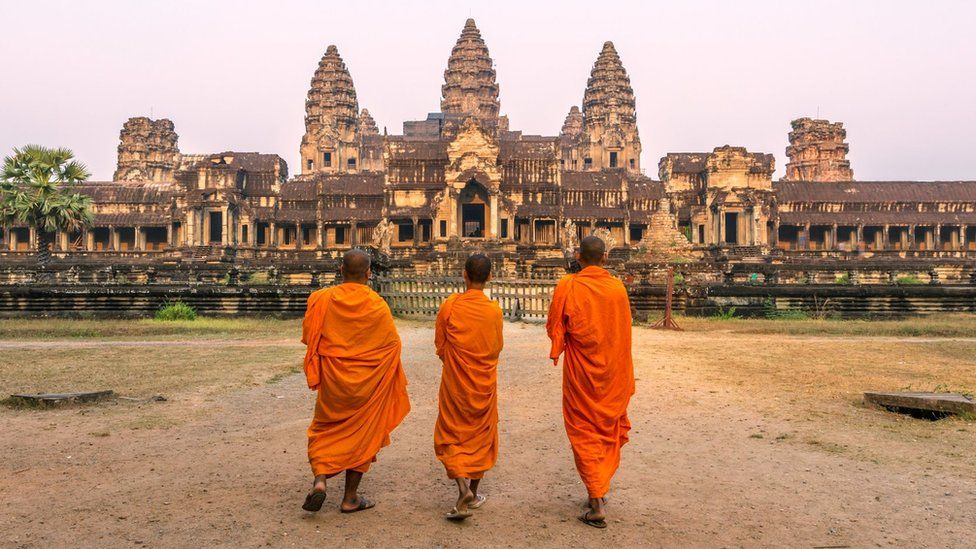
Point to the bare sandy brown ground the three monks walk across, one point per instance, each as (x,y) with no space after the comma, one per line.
(713,462)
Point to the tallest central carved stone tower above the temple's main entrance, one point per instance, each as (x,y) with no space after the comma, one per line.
(469,88)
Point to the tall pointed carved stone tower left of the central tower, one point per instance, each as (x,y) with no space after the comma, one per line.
(331,141)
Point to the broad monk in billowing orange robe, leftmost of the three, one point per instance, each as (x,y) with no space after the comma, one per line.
(353,361)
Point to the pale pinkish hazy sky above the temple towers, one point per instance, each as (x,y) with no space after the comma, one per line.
(233,75)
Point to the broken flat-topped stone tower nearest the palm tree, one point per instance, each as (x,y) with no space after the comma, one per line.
(148,150)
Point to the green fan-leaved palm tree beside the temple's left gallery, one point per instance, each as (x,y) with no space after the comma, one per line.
(37,189)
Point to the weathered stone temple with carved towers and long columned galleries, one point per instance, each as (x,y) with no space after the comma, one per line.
(462,179)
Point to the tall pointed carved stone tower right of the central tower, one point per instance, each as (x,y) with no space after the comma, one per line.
(609,138)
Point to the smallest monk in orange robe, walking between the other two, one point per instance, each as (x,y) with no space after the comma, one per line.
(468,338)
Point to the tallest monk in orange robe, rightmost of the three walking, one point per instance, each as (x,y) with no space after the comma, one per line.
(589,324)
